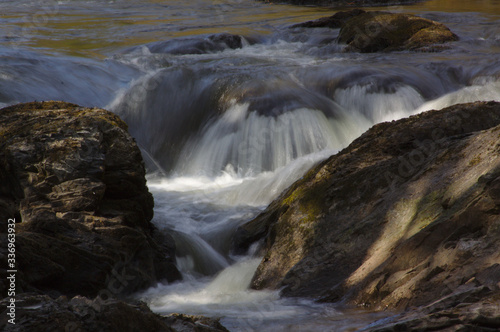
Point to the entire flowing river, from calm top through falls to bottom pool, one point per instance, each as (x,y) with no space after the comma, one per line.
(227,122)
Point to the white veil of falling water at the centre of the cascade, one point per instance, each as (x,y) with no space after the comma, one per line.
(252,143)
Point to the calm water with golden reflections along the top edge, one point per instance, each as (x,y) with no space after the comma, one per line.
(99,28)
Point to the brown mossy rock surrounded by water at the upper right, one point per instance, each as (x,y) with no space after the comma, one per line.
(378,31)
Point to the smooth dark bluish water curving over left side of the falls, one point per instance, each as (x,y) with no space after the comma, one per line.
(165,107)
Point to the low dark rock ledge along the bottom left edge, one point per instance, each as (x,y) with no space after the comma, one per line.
(42,313)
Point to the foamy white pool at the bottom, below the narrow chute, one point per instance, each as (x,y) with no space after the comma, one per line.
(241,309)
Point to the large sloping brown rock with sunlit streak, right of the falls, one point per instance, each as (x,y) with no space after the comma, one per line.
(407,215)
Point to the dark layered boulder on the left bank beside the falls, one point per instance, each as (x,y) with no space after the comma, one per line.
(73,179)
